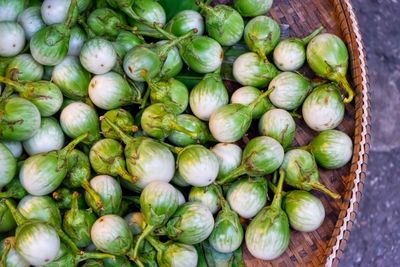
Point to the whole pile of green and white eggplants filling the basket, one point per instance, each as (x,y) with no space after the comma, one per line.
(121,145)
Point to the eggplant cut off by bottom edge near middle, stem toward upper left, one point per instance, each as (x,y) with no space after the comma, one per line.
(174,254)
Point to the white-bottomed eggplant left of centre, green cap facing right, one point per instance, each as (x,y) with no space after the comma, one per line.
(110,90)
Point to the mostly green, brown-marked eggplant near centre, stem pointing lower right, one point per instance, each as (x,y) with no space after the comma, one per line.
(159,121)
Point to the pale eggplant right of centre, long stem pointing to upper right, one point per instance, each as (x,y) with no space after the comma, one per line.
(229,123)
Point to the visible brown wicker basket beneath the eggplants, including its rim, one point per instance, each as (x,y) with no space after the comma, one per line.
(325,246)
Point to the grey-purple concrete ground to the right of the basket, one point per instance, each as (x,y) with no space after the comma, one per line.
(375,238)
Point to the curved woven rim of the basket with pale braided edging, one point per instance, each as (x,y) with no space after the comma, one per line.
(338,242)
